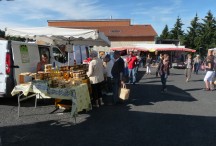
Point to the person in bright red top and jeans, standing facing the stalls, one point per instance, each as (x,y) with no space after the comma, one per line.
(131,61)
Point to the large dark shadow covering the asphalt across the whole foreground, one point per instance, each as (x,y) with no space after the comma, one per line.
(115,126)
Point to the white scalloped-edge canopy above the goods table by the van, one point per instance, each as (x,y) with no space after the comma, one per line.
(55,35)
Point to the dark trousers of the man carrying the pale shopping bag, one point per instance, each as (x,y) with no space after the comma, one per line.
(116,87)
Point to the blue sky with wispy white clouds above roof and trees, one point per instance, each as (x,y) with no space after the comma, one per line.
(158,13)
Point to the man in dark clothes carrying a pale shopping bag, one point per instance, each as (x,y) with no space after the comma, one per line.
(117,73)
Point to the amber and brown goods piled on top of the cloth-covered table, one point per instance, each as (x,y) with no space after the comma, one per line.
(62,77)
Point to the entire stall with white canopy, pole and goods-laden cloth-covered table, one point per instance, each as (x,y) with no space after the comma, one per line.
(64,79)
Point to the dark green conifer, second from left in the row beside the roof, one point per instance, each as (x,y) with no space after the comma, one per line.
(177,32)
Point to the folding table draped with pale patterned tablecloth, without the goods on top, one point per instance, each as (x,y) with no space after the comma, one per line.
(79,94)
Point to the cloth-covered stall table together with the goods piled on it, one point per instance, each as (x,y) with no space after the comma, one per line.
(68,83)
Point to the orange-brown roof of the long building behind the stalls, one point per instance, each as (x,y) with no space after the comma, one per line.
(110,27)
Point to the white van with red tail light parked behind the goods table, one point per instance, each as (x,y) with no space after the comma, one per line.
(17,57)
